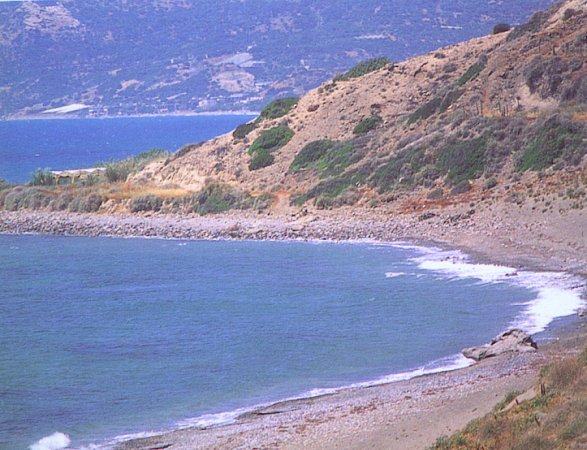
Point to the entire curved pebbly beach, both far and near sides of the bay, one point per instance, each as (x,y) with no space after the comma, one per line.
(401,415)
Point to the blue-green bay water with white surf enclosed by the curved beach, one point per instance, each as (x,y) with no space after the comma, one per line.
(106,337)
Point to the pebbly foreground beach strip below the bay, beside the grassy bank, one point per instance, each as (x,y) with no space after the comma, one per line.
(393,411)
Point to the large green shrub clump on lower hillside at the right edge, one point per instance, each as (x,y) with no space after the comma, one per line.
(556,140)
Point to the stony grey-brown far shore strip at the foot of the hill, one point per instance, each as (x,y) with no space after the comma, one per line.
(486,244)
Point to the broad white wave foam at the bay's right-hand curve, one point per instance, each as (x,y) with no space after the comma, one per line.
(558,294)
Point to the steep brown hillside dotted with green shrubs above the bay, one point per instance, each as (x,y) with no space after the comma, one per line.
(488,115)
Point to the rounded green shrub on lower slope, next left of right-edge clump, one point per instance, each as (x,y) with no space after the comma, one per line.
(463,160)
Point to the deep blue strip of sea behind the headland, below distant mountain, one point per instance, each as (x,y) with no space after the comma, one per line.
(58,144)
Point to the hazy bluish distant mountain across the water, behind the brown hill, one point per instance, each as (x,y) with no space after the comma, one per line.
(159,56)
